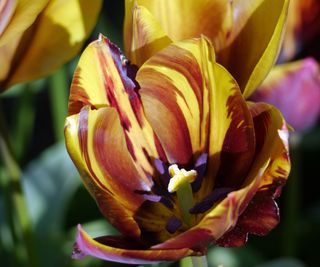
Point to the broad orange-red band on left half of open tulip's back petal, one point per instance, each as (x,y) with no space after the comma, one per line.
(165,116)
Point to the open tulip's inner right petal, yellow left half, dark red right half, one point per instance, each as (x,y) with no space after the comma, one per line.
(231,139)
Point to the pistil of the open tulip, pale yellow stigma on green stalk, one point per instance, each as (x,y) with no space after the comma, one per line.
(180,183)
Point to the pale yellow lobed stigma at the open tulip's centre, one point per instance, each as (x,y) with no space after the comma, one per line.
(180,177)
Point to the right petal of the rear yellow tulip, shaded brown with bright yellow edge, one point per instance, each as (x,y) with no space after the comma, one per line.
(251,55)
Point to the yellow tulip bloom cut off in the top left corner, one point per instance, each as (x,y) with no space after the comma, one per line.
(36,37)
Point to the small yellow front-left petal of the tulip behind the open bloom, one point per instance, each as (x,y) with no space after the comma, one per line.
(143,36)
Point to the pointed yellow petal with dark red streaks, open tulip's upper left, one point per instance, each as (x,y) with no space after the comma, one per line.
(102,79)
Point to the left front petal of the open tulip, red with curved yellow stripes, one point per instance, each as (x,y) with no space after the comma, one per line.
(96,143)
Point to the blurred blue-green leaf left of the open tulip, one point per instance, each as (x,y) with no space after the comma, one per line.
(50,182)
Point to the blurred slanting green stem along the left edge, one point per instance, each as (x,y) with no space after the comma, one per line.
(13,188)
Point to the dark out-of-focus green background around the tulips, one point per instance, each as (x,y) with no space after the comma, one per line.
(57,201)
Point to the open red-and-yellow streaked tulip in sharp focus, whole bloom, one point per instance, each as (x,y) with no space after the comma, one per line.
(174,156)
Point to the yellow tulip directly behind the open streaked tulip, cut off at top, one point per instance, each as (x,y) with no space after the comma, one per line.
(246,34)
